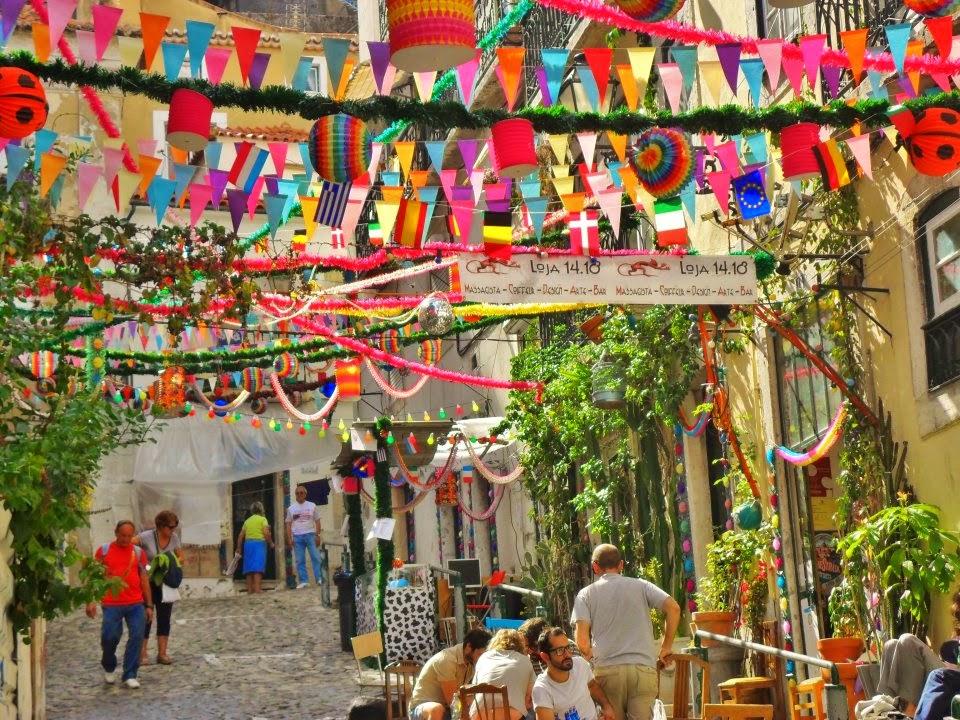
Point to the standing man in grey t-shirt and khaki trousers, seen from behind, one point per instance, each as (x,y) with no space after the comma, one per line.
(614,631)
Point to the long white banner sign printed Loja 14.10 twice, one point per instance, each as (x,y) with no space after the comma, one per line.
(623,280)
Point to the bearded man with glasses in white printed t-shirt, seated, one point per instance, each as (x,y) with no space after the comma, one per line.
(567,689)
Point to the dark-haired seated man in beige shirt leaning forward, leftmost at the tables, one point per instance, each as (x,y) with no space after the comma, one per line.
(443,674)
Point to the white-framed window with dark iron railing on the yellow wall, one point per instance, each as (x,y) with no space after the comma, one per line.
(938,246)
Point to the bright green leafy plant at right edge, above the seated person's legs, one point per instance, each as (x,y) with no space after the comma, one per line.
(904,556)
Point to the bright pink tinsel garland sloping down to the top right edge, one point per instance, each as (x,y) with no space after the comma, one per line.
(684,34)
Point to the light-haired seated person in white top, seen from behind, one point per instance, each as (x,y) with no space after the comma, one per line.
(506,663)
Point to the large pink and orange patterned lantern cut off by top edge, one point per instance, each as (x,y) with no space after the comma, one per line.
(431,36)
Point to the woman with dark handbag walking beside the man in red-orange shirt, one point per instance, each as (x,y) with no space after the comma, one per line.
(164,557)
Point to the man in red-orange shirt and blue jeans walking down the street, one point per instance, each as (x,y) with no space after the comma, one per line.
(132,604)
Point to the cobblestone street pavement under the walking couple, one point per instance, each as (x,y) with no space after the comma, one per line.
(271,656)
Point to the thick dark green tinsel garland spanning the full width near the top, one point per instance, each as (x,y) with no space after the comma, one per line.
(726,120)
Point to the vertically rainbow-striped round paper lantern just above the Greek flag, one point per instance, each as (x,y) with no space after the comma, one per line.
(340,147)
